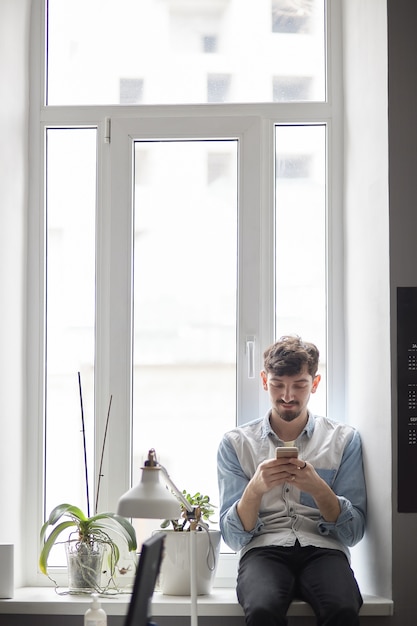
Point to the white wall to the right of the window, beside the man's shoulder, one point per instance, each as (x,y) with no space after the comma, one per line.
(367,275)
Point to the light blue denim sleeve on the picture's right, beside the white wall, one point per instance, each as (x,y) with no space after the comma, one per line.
(349,486)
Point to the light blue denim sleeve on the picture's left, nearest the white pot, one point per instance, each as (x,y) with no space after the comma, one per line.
(232,483)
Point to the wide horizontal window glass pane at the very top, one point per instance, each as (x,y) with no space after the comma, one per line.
(175,52)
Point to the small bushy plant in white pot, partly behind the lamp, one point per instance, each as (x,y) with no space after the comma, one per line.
(175,567)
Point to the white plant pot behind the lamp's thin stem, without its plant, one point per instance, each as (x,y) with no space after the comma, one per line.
(174,578)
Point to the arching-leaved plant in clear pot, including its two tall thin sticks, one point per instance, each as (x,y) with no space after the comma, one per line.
(88,539)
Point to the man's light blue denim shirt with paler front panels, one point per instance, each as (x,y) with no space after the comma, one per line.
(286,513)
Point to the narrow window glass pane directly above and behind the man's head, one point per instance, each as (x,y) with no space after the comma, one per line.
(301,240)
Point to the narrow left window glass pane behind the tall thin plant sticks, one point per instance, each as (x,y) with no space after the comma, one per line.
(70,306)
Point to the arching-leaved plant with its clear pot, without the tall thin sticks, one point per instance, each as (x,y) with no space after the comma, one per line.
(87,545)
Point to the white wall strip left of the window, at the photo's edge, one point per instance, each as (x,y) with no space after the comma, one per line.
(14,43)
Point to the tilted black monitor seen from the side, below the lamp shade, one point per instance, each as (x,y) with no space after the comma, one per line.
(144,585)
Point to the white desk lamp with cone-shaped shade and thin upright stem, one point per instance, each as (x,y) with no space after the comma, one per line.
(150,499)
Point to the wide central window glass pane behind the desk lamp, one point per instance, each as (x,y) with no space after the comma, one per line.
(184,395)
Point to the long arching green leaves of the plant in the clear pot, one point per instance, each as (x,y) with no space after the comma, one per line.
(88,530)
